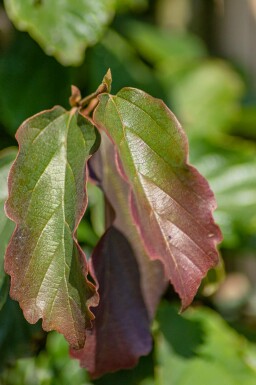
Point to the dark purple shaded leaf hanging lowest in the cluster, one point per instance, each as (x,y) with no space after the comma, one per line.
(120,325)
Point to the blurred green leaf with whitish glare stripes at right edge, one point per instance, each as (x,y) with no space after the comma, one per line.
(229,166)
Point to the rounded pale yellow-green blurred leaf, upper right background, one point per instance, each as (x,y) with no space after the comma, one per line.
(208,98)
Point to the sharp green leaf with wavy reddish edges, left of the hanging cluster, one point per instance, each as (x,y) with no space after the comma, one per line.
(47,199)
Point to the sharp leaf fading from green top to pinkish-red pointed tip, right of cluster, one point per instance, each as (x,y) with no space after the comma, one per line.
(171,202)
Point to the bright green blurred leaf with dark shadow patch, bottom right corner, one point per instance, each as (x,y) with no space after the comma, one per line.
(218,354)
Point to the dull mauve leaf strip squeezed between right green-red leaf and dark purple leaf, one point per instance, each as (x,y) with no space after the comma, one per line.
(116,189)
